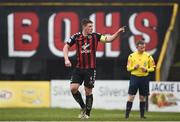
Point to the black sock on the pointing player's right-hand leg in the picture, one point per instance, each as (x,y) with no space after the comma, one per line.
(89,102)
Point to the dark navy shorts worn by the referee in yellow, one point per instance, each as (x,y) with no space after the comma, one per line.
(139,83)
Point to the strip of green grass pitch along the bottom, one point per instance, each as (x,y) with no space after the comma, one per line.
(60,114)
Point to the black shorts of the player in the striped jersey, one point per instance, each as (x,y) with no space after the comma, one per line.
(87,76)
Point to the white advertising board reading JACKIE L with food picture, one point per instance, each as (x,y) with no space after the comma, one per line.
(164,96)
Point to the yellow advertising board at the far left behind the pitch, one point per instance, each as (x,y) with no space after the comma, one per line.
(24,94)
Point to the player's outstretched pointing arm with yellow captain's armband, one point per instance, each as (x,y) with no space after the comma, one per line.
(110,38)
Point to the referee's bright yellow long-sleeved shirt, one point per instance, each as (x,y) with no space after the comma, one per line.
(144,60)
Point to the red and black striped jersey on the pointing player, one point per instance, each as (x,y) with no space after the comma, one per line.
(86,47)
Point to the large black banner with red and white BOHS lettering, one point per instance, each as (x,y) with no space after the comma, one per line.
(37,31)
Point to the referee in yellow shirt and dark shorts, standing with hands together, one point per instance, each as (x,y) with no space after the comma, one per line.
(140,63)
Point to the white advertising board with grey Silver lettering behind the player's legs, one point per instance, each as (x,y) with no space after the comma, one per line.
(107,94)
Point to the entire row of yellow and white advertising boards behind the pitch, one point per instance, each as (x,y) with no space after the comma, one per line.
(108,94)
